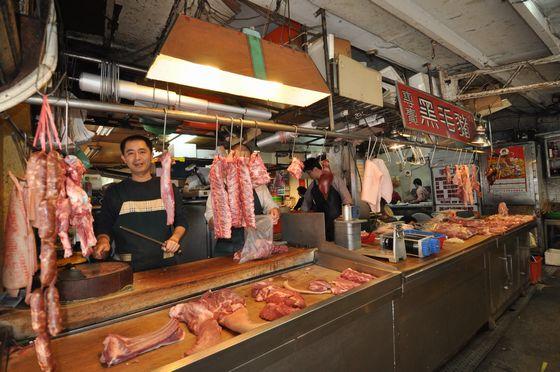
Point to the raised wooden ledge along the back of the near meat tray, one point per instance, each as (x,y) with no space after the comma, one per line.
(157,287)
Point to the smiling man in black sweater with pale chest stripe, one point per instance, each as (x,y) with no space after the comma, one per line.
(136,203)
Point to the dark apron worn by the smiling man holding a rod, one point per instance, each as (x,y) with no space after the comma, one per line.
(141,253)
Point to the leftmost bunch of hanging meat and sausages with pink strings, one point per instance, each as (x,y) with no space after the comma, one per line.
(52,200)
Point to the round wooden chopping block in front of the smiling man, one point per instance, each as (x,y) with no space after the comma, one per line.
(93,280)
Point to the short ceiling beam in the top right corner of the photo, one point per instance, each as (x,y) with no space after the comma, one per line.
(531,13)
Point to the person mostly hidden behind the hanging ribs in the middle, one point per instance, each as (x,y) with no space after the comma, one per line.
(263,204)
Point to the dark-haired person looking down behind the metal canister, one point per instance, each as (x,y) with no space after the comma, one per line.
(314,200)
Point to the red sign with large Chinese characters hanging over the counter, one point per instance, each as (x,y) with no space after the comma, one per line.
(426,113)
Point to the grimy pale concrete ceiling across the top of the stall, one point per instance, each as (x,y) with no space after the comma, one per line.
(456,35)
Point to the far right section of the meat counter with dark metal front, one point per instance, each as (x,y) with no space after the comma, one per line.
(449,296)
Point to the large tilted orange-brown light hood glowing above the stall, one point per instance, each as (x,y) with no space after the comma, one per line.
(206,56)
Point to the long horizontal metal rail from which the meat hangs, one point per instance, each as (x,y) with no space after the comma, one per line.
(220,120)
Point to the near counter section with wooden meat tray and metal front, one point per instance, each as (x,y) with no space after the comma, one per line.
(332,332)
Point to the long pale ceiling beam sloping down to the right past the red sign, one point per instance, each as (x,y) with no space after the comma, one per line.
(414,15)
